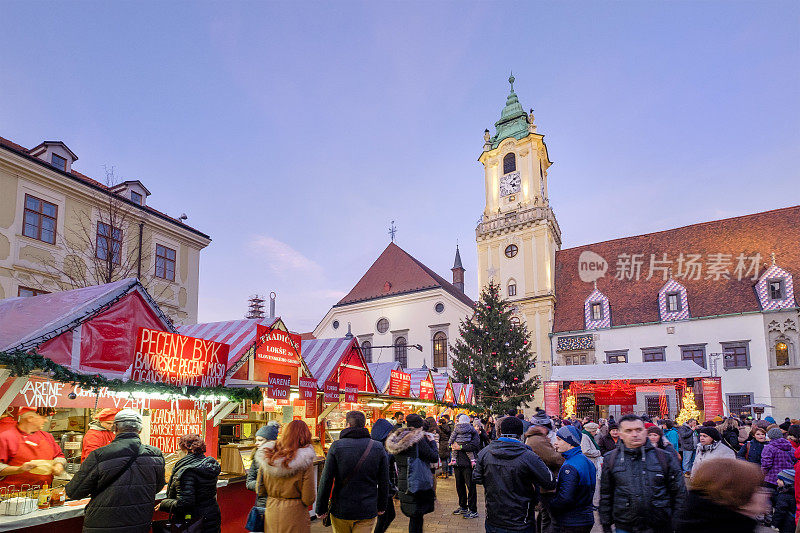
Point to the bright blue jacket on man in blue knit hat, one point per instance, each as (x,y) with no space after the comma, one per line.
(572,503)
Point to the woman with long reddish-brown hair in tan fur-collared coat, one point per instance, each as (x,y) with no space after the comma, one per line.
(286,478)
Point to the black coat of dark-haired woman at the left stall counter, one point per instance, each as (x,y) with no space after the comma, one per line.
(192,491)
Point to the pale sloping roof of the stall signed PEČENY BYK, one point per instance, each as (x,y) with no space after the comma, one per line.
(27,322)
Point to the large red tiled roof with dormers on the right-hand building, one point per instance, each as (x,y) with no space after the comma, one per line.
(636,302)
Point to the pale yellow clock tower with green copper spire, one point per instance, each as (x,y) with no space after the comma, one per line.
(518,234)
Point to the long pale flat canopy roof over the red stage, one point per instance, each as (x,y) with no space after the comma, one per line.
(609,372)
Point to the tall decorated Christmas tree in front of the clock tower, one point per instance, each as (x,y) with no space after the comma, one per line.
(493,354)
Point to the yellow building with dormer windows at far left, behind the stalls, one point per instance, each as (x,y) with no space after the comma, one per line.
(60,229)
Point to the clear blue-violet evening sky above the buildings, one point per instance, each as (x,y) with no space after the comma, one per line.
(293,133)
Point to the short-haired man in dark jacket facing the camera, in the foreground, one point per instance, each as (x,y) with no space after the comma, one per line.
(641,486)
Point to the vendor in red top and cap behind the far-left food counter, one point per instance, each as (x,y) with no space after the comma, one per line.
(29,455)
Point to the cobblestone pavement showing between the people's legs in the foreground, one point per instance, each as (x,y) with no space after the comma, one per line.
(442,519)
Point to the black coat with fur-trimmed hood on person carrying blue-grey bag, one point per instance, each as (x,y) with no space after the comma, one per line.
(405,444)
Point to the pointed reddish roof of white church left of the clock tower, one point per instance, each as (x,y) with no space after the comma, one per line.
(396,272)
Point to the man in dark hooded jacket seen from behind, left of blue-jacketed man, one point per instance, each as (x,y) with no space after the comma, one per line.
(511,475)
